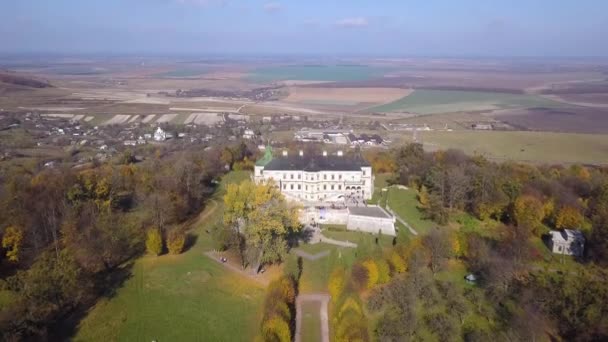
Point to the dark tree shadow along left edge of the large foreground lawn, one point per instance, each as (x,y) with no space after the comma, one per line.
(106,287)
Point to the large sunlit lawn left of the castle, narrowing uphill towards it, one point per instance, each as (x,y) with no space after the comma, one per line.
(186,297)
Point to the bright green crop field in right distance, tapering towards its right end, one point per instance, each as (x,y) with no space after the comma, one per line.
(446,101)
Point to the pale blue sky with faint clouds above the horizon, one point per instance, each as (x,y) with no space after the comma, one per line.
(316,27)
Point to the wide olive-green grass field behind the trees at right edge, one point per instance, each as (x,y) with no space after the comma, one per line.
(534,147)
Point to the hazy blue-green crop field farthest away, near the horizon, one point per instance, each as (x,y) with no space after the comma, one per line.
(316,73)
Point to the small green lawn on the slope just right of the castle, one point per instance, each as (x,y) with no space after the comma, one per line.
(404,203)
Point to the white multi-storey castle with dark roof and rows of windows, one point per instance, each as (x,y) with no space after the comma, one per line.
(314,178)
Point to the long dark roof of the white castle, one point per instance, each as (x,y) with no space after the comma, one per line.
(316,163)
